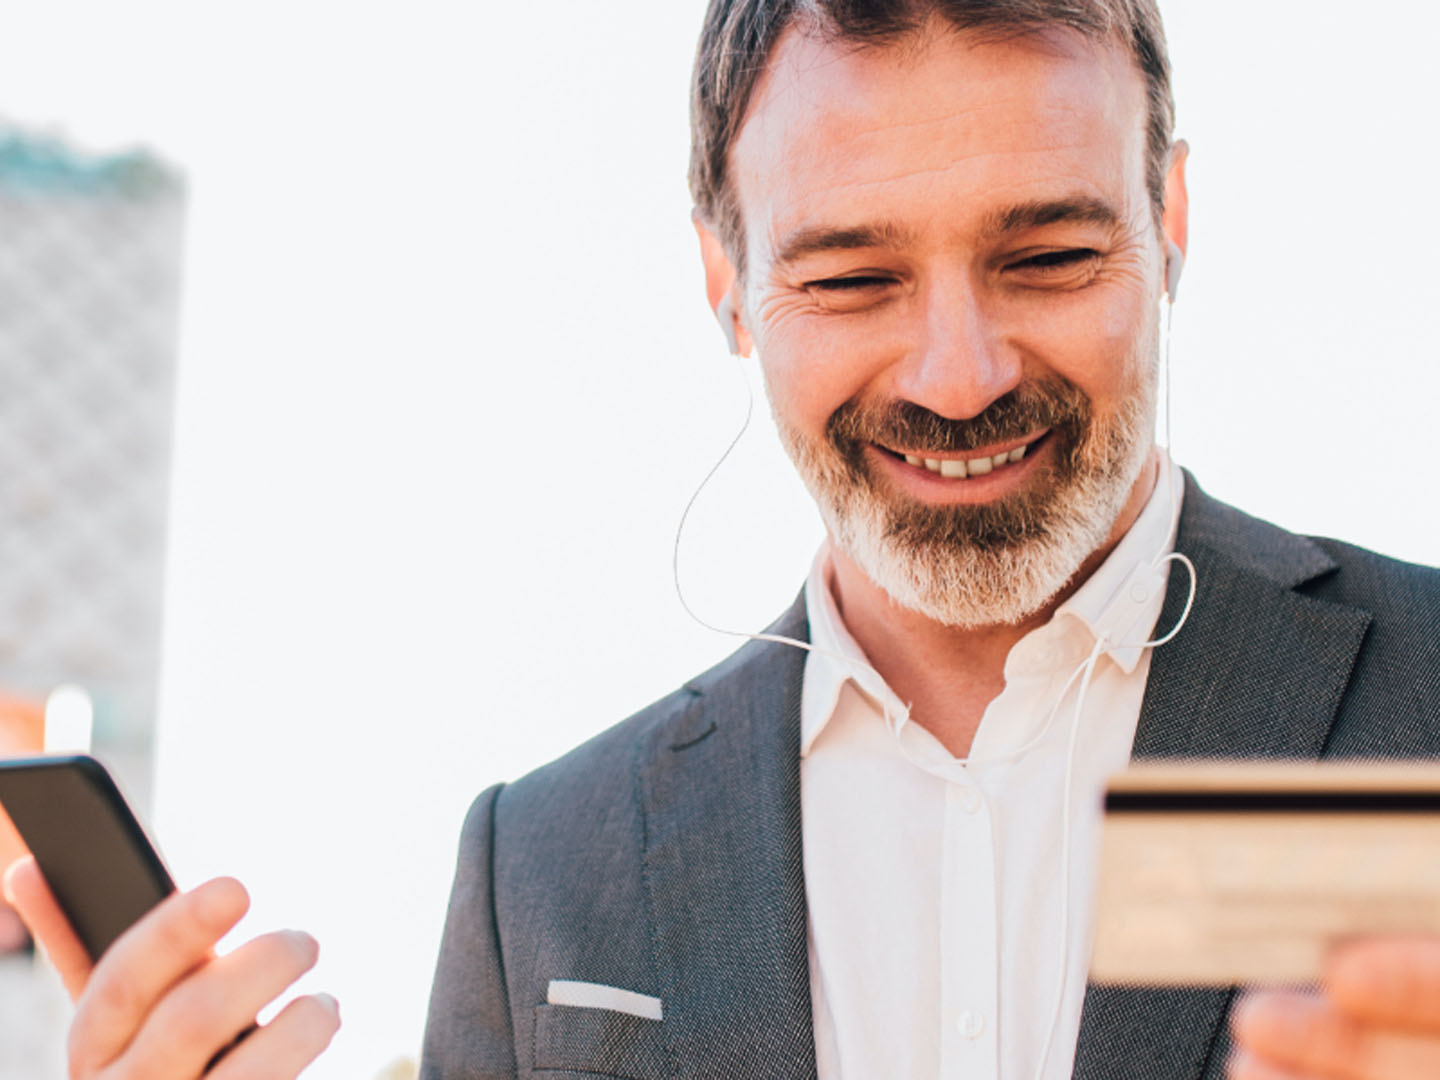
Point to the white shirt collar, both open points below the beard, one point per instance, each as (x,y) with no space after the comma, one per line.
(1118,604)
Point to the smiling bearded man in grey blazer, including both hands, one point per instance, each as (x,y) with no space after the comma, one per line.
(947,231)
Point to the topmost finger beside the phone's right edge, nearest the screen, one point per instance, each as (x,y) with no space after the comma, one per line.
(145,963)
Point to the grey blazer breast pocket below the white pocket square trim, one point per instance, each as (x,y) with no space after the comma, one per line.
(600,1042)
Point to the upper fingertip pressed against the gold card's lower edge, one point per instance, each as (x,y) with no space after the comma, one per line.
(1392,981)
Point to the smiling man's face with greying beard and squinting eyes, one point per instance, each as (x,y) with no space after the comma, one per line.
(953,258)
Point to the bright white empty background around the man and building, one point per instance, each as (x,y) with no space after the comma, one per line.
(449,379)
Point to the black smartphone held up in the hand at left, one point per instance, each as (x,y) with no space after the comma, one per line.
(94,855)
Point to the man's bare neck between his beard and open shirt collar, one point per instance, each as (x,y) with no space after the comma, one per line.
(947,675)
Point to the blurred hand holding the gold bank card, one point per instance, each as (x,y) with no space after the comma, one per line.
(1377,1020)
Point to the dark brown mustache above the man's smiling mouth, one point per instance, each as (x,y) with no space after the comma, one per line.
(906,426)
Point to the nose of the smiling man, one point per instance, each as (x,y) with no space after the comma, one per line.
(960,361)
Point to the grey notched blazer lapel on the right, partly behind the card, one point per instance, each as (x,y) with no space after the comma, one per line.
(1258,672)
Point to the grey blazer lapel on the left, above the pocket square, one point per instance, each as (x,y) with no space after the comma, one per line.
(722,811)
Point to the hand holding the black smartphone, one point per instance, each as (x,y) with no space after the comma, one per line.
(161,1004)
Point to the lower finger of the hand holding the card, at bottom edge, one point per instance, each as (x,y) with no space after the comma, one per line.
(1310,1036)
